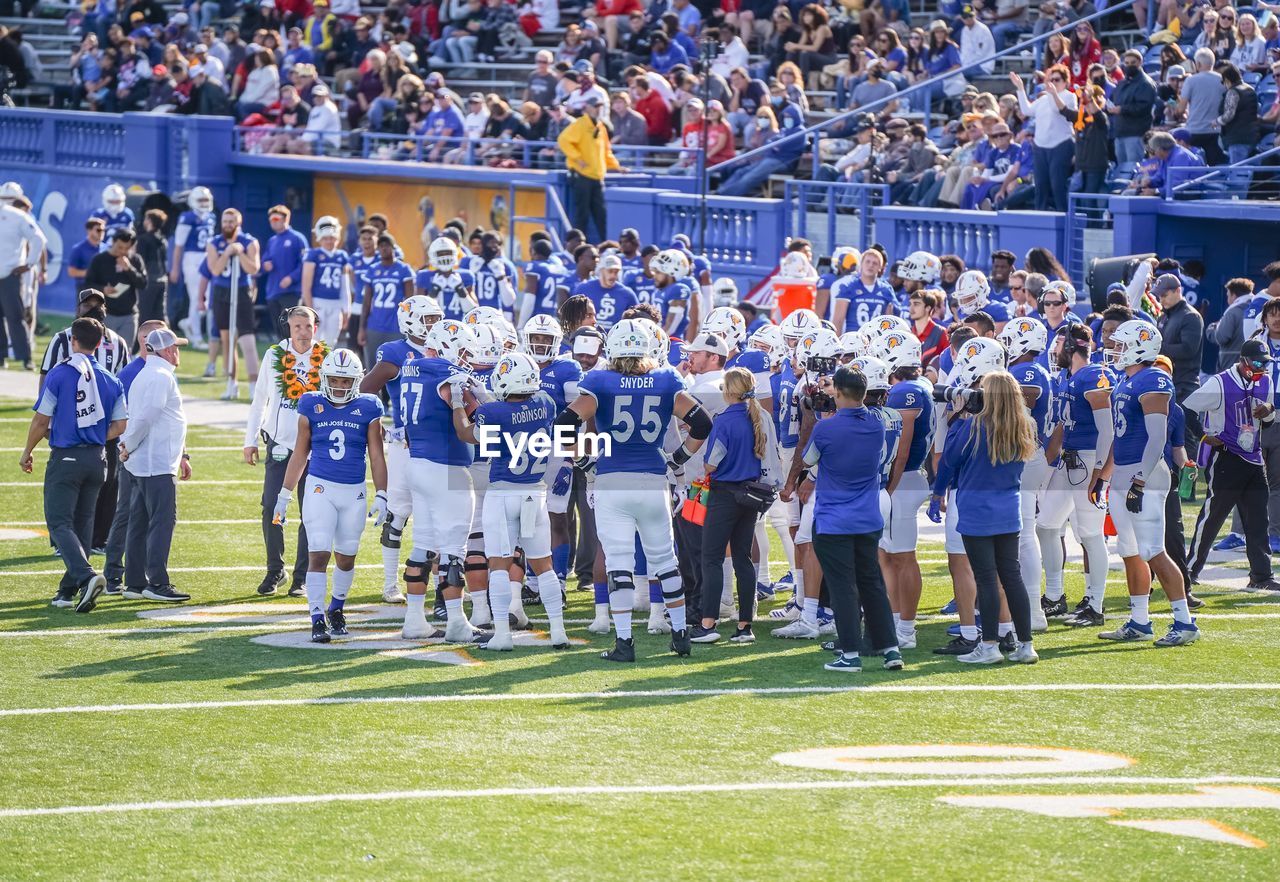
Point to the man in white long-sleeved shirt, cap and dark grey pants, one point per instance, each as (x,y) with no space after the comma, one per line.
(153,453)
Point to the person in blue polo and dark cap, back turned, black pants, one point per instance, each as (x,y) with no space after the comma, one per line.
(845,451)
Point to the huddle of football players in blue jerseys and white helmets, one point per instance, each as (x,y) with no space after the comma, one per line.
(637,383)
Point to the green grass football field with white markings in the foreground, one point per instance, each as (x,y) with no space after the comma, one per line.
(188,746)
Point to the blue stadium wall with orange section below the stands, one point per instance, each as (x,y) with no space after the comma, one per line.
(63,162)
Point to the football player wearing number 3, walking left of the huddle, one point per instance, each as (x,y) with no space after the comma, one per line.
(340,436)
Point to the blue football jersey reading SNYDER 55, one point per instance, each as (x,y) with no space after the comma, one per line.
(634,412)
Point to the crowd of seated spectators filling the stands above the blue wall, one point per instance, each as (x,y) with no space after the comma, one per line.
(920,109)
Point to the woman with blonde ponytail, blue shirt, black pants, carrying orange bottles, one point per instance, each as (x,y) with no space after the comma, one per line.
(742,449)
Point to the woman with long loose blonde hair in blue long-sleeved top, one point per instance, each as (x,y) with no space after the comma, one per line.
(985,463)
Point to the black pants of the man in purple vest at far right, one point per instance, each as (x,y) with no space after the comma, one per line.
(1235,483)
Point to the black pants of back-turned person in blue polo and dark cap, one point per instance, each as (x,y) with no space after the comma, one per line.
(851,568)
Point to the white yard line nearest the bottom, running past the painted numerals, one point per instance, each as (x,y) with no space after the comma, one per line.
(621,790)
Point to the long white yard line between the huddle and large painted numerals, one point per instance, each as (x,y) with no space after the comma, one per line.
(646,693)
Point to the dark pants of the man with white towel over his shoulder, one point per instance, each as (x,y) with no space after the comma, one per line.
(74,481)
